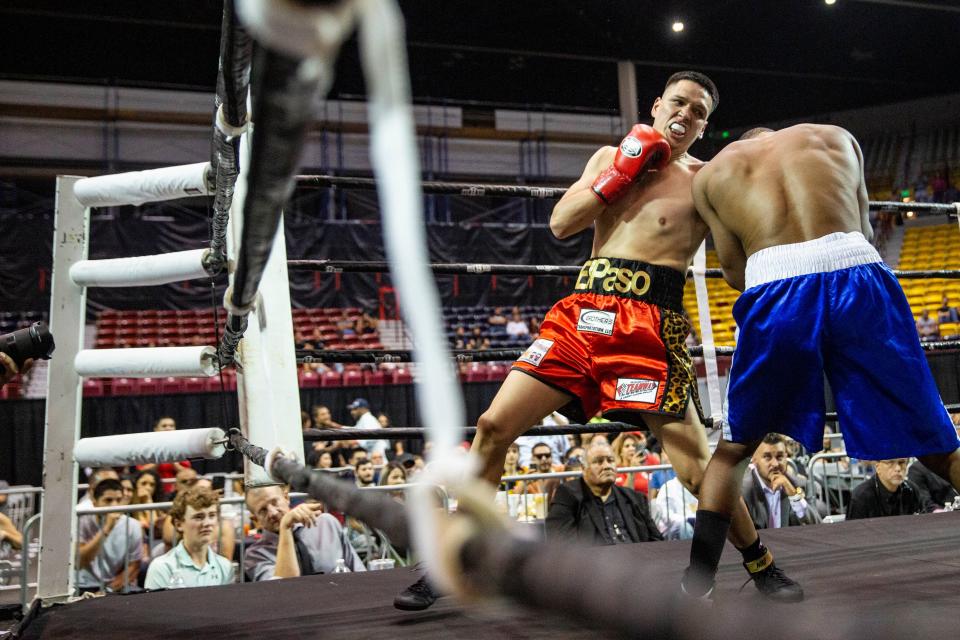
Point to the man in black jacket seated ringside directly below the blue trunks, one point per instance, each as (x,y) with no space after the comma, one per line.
(887,493)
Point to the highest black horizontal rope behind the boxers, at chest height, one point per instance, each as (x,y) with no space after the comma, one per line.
(480,190)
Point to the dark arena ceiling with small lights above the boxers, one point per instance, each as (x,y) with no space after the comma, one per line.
(772,59)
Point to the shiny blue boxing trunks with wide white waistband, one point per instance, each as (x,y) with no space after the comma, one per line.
(830,306)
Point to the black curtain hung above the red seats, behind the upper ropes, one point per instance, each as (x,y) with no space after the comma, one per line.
(25,260)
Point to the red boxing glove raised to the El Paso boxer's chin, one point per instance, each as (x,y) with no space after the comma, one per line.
(644,148)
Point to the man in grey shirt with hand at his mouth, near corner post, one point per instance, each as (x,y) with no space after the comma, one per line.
(294,542)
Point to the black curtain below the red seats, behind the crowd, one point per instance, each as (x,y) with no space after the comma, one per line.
(22,423)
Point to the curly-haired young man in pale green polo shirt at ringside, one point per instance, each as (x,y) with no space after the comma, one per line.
(192,563)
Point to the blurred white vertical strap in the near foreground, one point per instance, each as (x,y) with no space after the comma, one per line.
(396,166)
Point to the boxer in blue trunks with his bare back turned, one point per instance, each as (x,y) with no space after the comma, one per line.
(788,215)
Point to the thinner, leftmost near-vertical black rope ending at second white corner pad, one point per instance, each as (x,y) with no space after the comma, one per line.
(233,83)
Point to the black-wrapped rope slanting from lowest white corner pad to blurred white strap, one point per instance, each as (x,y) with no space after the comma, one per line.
(378,510)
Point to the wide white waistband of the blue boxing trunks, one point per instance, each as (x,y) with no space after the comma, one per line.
(830,253)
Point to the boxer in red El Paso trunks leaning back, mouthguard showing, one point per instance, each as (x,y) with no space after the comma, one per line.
(616,344)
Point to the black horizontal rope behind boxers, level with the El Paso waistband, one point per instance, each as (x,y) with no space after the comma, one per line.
(467,268)
